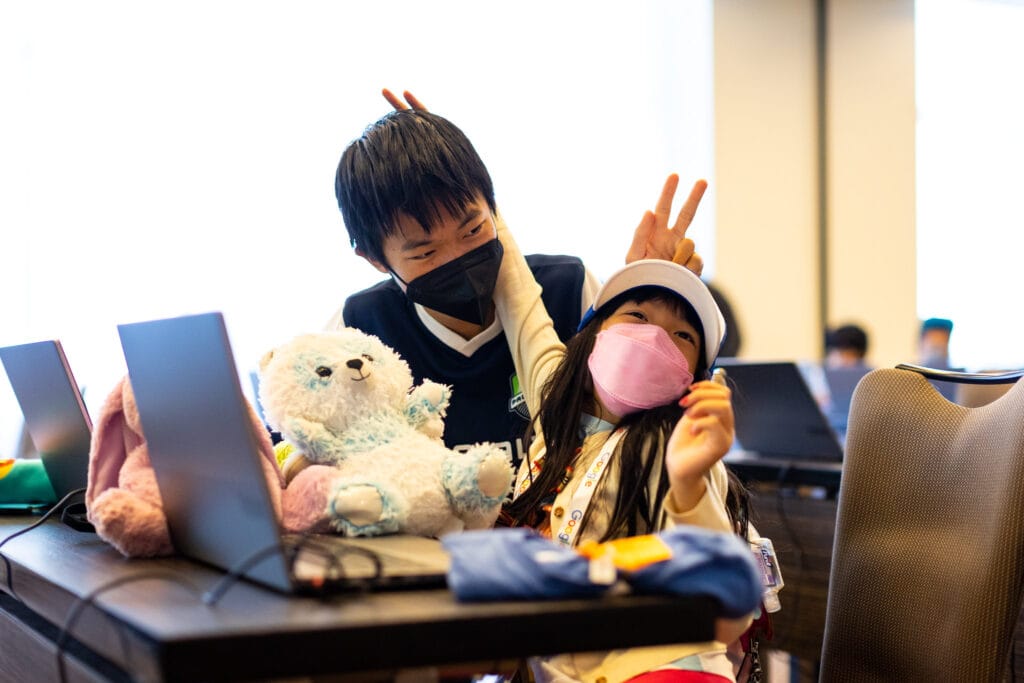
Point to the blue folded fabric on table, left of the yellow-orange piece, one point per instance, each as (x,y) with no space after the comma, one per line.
(516,564)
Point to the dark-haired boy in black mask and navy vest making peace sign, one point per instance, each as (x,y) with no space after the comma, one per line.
(419,205)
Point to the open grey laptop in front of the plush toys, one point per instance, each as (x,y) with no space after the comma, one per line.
(206,459)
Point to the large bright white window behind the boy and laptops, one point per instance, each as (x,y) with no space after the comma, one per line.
(166,158)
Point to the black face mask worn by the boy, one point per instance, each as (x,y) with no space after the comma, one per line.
(462,288)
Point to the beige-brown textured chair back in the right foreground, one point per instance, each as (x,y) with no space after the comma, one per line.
(928,560)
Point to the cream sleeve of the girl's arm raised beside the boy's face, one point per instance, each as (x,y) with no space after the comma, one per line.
(531,334)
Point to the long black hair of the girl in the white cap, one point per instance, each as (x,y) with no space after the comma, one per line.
(569,395)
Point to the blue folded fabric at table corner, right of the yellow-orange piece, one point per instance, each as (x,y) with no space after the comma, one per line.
(704,563)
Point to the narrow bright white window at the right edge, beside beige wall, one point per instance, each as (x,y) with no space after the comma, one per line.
(970,152)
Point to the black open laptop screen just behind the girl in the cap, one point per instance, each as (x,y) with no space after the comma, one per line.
(777,416)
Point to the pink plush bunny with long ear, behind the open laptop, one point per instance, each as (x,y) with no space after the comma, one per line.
(123,500)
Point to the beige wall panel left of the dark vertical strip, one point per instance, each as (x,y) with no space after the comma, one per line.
(766,174)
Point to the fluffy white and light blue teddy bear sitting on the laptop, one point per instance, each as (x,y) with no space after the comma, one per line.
(365,445)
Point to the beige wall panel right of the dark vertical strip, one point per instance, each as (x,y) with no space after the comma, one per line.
(871,173)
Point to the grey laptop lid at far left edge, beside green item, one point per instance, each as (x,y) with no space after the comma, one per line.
(56,416)
